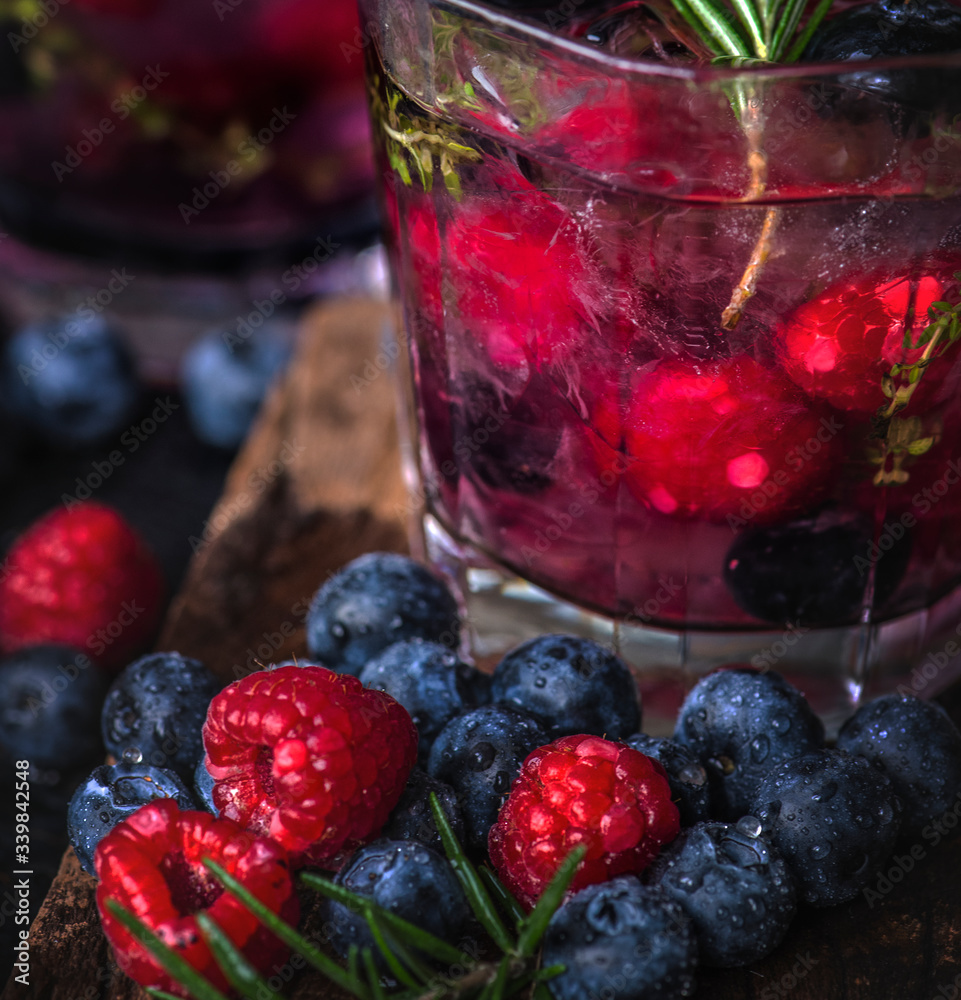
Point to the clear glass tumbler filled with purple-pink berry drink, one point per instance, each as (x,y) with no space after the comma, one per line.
(682,345)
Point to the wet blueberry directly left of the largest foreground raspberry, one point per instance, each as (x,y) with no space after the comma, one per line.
(158,705)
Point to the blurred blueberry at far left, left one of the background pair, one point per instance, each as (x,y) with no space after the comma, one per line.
(71,380)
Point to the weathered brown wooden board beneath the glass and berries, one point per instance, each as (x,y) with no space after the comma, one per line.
(318,483)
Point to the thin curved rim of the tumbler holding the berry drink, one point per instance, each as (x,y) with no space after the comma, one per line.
(692,74)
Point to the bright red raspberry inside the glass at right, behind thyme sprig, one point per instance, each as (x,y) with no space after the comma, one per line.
(838,346)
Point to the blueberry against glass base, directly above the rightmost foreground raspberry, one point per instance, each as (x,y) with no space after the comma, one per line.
(572,685)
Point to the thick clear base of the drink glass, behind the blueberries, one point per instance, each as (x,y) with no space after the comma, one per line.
(836,668)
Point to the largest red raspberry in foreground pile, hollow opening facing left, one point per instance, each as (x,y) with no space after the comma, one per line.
(308,757)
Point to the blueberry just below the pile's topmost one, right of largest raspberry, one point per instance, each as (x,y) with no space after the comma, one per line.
(427,679)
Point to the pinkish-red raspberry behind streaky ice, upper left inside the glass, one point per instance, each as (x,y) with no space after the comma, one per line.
(521,280)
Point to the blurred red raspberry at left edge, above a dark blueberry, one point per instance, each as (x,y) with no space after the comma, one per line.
(84,578)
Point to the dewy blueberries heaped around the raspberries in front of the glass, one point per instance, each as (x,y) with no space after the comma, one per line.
(771,818)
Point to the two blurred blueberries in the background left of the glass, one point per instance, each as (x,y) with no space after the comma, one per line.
(71,382)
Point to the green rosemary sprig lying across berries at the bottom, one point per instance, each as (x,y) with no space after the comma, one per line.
(405,949)
